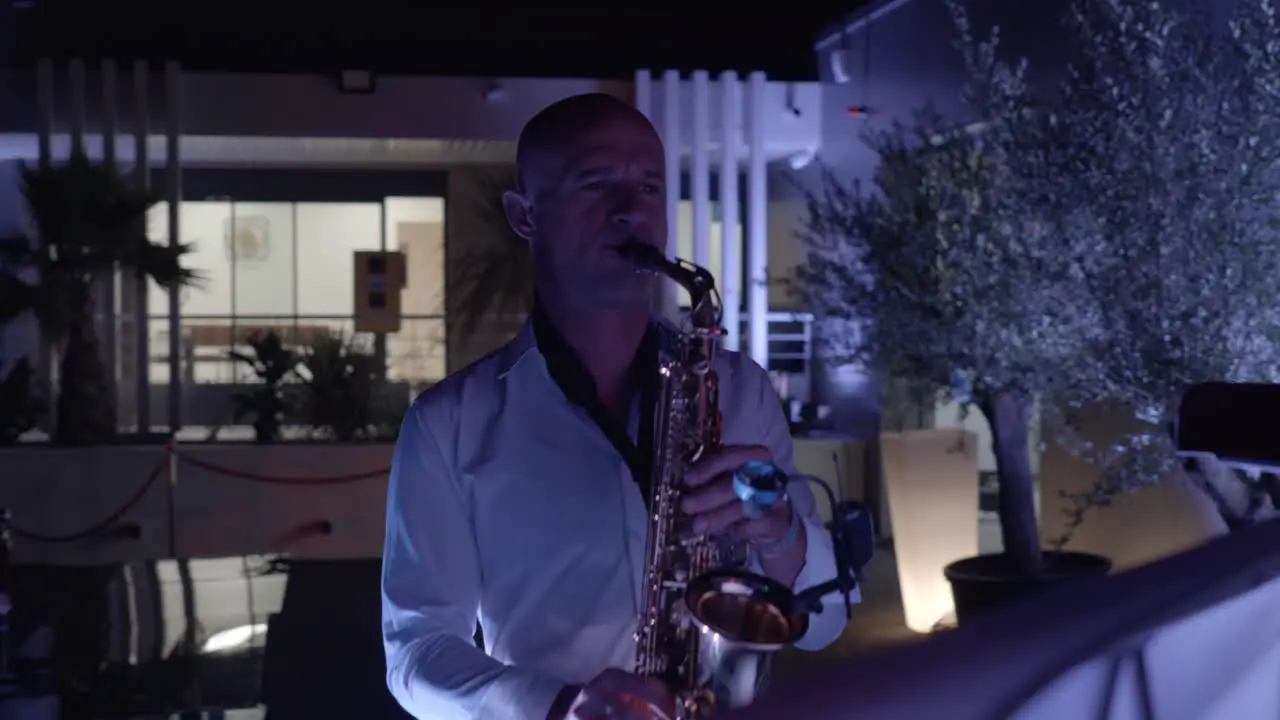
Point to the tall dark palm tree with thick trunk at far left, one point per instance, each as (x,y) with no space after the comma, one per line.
(88,221)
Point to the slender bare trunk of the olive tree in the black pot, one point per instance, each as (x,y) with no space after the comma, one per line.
(1009,416)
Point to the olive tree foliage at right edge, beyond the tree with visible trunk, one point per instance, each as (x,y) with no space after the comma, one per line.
(1173,176)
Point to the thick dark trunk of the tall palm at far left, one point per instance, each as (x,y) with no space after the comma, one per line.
(86,405)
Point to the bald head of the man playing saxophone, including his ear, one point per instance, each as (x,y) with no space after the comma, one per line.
(592,176)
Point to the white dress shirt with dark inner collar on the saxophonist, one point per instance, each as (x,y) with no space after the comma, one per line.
(509,505)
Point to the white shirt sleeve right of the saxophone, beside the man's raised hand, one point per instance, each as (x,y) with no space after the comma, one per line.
(820,559)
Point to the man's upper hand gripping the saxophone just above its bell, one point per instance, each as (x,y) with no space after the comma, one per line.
(717,511)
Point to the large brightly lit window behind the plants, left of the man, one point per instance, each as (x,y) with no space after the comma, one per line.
(289,267)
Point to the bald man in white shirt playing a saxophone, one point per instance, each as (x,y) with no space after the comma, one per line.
(516,495)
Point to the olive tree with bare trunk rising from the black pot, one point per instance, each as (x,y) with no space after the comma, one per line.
(959,282)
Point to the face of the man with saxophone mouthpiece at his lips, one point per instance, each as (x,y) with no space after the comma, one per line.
(602,189)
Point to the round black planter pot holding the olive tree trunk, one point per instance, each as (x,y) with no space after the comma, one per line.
(986,582)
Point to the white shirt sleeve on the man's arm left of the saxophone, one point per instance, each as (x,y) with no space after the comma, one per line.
(432,596)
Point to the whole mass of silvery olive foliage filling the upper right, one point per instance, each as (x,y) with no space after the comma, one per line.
(1113,241)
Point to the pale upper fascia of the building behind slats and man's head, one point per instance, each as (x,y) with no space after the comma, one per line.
(403,107)
